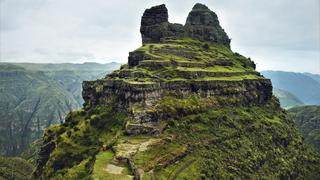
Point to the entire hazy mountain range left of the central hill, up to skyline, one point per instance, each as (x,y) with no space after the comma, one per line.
(34,96)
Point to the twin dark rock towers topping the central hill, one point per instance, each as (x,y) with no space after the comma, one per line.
(201,24)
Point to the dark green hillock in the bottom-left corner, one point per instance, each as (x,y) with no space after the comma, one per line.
(14,168)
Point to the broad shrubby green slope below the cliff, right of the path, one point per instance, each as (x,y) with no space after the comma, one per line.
(253,133)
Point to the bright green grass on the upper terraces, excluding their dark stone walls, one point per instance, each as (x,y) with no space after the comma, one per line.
(210,54)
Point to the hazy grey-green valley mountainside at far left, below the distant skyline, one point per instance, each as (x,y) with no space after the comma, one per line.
(26,99)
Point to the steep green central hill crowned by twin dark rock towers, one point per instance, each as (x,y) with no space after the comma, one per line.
(184,107)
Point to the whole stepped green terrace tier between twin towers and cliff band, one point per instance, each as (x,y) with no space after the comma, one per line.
(184,59)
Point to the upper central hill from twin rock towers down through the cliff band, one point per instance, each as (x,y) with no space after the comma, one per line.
(185,61)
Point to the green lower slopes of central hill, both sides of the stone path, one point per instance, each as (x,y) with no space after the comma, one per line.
(264,138)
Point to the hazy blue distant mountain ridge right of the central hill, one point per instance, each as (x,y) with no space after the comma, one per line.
(304,86)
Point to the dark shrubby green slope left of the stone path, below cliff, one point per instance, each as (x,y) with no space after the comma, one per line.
(73,145)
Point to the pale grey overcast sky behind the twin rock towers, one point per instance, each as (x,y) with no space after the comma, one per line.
(276,34)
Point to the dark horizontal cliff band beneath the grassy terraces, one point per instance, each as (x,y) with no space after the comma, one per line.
(250,92)
